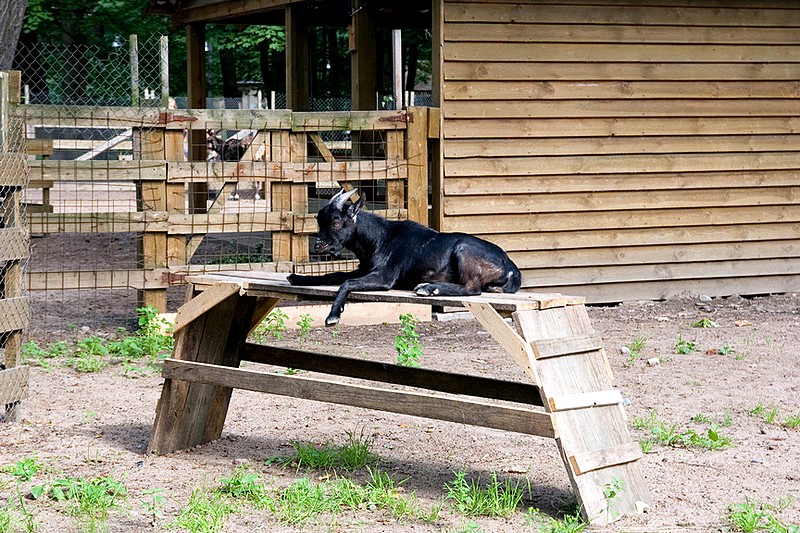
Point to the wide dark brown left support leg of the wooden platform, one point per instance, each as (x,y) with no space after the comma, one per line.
(189,414)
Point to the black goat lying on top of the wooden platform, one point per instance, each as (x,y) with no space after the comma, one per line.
(404,255)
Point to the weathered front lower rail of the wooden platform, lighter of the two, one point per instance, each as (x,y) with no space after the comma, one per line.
(515,419)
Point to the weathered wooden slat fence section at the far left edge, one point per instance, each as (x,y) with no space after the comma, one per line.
(14,306)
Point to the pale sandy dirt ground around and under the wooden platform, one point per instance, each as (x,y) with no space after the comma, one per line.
(98,424)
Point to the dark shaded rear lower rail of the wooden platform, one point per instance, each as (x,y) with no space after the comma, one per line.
(421,378)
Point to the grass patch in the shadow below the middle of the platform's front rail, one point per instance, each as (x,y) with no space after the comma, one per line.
(354,454)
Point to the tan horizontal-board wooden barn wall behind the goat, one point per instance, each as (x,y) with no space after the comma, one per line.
(622,149)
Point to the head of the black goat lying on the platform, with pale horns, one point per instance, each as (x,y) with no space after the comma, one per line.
(337,223)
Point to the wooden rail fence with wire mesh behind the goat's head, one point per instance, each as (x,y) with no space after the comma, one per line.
(163,197)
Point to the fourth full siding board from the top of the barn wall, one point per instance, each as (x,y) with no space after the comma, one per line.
(577,71)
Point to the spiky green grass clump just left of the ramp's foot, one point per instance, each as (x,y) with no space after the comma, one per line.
(495,499)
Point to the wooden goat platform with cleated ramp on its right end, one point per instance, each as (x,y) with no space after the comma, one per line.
(571,397)
